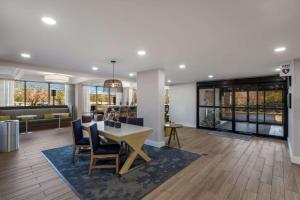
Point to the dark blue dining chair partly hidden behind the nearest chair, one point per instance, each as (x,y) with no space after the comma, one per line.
(81,144)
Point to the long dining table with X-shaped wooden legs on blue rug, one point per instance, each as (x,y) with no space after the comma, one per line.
(134,136)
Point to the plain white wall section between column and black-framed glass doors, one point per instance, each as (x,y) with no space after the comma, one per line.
(183,104)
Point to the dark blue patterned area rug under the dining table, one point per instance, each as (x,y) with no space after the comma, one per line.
(105,184)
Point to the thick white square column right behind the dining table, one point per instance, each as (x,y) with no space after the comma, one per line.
(150,100)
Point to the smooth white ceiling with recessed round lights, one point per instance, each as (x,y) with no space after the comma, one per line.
(229,39)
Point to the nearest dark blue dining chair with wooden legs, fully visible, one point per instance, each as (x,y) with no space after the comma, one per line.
(102,151)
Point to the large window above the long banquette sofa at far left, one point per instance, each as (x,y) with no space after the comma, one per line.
(29,93)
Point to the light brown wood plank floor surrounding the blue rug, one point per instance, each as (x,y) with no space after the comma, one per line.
(232,169)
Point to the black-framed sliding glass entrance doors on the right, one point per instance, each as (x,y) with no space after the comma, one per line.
(244,109)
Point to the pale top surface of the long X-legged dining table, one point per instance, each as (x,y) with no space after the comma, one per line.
(125,130)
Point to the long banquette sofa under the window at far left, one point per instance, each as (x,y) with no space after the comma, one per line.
(44,119)
